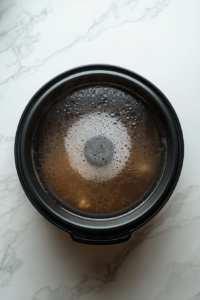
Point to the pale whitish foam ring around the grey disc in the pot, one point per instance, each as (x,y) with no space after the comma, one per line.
(94,124)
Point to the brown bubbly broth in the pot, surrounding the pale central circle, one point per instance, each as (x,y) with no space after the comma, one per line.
(141,171)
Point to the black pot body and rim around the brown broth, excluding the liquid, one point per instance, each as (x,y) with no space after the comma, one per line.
(87,228)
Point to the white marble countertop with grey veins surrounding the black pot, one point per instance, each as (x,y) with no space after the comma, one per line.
(159,39)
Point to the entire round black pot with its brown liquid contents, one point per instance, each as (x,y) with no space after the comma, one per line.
(99,150)
